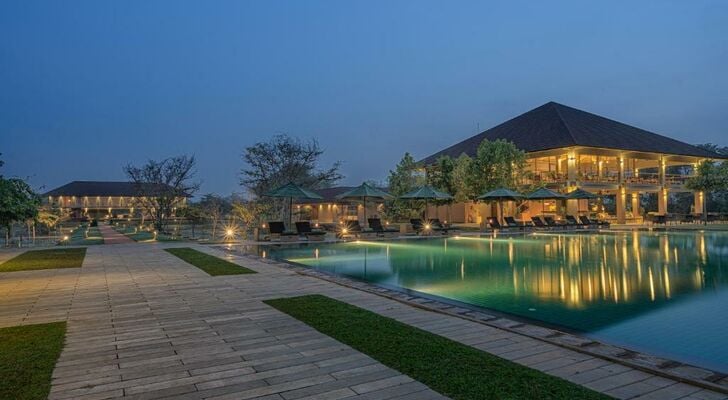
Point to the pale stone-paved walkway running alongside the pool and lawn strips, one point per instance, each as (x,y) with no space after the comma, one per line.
(143,324)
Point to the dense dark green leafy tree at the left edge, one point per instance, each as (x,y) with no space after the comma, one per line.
(18,202)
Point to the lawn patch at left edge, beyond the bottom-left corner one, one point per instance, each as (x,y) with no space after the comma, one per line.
(45,259)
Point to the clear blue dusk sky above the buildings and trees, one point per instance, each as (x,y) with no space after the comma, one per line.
(86,87)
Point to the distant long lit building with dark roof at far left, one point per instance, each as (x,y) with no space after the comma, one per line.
(100,199)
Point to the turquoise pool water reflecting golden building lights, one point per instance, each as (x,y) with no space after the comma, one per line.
(662,293)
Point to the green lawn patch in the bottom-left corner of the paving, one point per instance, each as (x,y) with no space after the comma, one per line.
(28,354)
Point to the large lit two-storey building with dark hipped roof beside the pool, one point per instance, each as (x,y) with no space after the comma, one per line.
(569,148)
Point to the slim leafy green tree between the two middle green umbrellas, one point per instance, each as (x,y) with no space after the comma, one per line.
(406,176)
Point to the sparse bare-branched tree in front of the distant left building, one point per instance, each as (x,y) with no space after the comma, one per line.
(163,186)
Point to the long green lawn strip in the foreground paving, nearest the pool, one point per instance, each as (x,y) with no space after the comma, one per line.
(448,367)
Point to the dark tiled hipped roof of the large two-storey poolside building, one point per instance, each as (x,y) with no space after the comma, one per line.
(555,125)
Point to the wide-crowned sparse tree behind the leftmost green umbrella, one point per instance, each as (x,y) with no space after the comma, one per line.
(285,159)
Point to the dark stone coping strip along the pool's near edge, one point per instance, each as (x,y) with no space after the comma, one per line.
(679,371)
